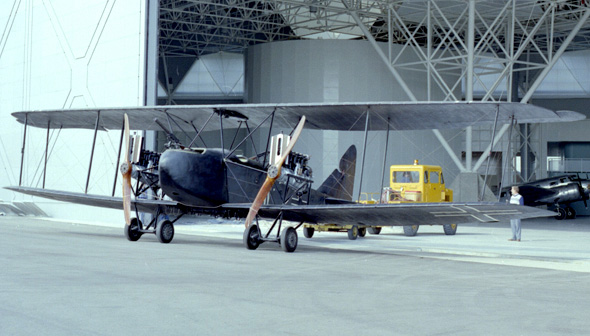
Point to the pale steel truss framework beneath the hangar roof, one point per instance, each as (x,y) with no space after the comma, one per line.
(455,43)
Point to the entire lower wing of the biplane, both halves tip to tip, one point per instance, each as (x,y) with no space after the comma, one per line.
(334,214)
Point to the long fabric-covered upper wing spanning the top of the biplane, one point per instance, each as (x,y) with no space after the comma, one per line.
(327,116)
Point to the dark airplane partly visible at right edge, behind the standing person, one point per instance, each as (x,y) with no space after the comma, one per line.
(559,192)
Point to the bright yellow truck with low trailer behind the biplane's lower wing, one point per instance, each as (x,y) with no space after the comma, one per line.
(407,184)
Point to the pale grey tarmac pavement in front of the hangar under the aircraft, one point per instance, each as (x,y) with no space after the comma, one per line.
(61,278)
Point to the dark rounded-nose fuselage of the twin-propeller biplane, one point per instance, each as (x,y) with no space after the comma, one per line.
(208,178)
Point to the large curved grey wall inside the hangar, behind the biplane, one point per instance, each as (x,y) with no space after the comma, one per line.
(345,71)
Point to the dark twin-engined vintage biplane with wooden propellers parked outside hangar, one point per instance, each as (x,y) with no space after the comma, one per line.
(275,183)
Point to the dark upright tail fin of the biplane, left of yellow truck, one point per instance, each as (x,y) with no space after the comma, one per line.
(340,183)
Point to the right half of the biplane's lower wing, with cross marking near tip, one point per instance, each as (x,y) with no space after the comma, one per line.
(404,214)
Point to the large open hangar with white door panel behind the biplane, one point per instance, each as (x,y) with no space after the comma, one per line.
(112,53)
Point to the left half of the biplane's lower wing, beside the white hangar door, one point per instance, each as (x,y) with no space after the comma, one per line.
(142,205)
